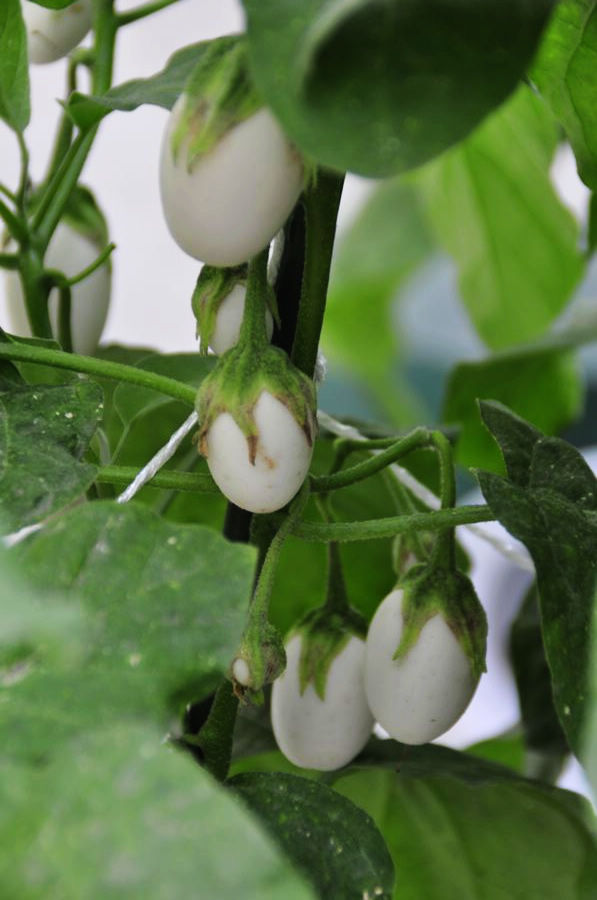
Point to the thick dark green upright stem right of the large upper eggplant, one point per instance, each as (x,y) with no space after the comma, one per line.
(321,209)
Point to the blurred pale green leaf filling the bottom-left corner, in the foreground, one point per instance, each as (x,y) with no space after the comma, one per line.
(118,814)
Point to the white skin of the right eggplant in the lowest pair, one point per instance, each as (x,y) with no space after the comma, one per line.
(420,696)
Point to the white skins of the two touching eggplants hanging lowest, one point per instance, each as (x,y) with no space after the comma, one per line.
(415,699)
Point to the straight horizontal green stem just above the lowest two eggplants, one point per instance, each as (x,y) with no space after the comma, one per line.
(434,520)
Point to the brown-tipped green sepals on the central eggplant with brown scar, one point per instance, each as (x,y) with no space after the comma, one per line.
(236,383)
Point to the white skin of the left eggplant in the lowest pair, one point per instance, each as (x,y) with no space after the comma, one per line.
(322,734)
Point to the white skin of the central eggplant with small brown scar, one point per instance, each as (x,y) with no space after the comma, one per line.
(281,463)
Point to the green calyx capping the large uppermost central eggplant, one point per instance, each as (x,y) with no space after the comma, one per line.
(218,95)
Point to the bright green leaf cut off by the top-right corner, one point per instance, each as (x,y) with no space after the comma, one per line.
(565,73)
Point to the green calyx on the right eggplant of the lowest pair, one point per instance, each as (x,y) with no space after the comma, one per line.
(433,590)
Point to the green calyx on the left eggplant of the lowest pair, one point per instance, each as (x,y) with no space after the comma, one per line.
(324,634)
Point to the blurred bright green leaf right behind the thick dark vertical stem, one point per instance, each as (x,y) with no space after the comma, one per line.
(387,243)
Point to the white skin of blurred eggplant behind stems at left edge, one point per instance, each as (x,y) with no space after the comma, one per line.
(69,252)
